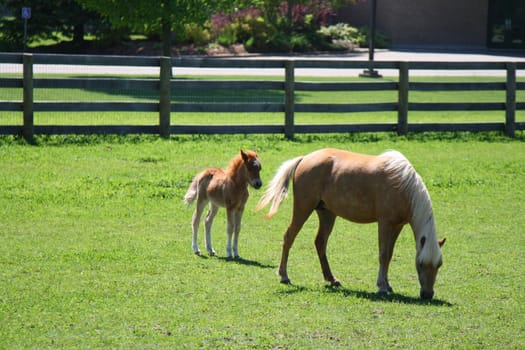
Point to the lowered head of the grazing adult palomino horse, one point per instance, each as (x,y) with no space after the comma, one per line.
(428,261)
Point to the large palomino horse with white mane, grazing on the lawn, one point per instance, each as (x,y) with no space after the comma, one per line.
(361,188)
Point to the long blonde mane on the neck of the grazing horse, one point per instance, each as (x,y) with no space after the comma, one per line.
(405,177)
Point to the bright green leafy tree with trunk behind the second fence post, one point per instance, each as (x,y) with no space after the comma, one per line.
(160,17)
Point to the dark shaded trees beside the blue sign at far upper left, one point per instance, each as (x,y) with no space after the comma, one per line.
(48,20)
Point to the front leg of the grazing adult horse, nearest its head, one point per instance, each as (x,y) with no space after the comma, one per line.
(387,239)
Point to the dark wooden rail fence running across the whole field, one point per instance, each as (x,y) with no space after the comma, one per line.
(165,108)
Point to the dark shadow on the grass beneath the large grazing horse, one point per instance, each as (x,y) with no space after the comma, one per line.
(376,297)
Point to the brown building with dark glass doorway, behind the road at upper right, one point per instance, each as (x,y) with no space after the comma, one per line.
(445,24)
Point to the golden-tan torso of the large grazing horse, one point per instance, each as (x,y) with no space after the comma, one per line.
(352,185)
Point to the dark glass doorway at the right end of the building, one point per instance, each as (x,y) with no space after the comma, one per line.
(506,24)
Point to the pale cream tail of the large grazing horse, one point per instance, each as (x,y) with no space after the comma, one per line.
(278,188)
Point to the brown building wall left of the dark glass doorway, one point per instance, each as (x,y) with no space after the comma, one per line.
(425,23)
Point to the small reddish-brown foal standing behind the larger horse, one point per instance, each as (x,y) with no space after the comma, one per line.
(224,188)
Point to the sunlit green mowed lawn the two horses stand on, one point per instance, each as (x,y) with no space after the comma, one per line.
(96,250)
